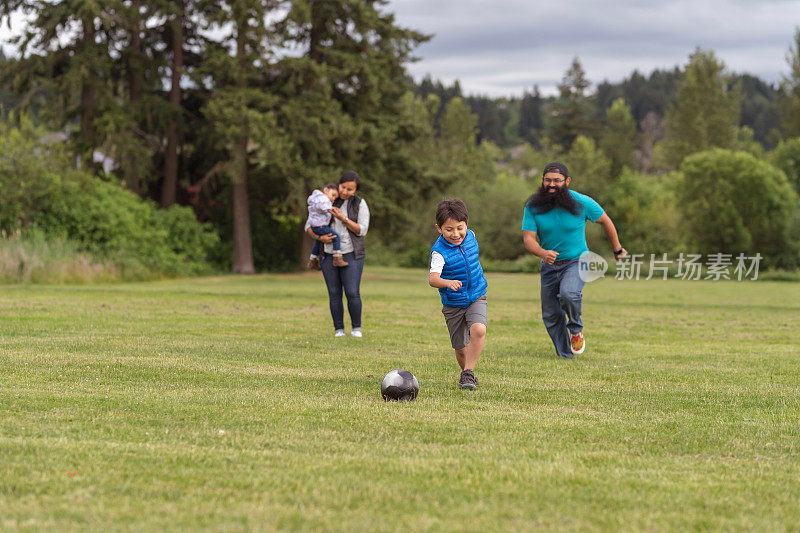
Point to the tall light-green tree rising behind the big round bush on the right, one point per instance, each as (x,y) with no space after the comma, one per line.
(706,113)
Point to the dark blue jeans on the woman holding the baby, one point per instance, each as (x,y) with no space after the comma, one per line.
(347,278)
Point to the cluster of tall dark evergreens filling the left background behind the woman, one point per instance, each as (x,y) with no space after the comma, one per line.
(223,104)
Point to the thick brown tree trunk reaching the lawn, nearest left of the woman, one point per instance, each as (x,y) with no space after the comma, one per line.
(242,244)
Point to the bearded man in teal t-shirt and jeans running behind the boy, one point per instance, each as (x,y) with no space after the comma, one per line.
(553,228)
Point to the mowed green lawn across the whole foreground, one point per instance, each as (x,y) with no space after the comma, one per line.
(225,403)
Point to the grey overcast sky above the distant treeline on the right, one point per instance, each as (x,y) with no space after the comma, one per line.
(501,47)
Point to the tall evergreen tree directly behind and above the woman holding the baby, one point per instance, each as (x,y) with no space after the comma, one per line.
(341,100)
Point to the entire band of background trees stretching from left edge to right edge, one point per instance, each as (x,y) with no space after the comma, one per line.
(240,108)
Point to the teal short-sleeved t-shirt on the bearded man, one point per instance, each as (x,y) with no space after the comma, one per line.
(562,231)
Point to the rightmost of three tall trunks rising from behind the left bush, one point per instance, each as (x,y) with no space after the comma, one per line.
(171,157)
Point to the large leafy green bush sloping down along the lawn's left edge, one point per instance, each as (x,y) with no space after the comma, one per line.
(42,194)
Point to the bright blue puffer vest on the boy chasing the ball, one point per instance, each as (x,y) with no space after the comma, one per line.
(461,262)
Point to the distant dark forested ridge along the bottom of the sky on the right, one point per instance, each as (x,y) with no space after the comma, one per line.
(764,108)
